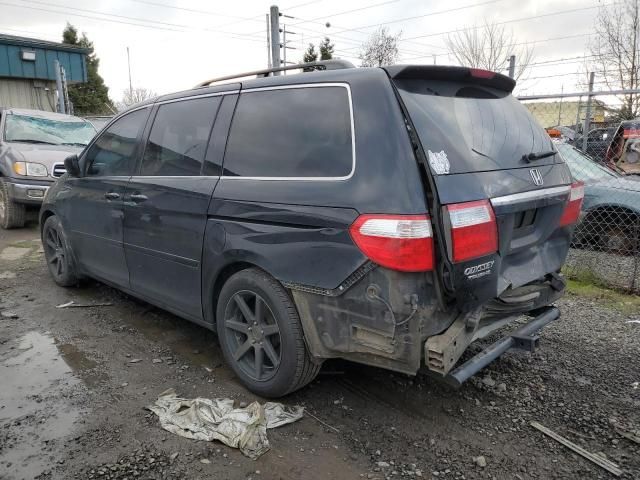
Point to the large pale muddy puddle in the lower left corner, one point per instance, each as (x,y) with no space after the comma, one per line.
(38,402)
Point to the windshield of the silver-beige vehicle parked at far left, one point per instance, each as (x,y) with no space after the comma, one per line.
(23,128)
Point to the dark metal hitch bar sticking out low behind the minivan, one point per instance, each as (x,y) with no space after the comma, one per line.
(524,338)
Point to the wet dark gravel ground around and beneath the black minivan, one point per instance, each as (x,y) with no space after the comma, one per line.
(72,402)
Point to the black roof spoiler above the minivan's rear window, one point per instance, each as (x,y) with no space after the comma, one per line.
(440,72)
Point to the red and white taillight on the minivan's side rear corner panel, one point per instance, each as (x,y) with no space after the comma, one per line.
(398,242)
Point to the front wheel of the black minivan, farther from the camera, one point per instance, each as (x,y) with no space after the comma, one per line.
(58,254)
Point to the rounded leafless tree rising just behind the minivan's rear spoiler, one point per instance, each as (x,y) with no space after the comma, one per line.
(489,46)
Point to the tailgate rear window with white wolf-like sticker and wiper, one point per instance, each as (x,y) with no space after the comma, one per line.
(469,128)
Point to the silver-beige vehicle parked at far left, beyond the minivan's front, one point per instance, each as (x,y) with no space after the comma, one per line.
(33,146)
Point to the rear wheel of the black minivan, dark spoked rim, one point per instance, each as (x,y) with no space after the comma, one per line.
(261,335)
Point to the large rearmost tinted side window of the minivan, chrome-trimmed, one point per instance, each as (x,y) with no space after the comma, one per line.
(296,132)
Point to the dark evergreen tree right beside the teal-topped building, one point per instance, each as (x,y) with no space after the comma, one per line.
(91,97)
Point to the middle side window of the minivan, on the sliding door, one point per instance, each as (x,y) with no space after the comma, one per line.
(179,136)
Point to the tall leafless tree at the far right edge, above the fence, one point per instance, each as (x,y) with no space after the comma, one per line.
(614,52)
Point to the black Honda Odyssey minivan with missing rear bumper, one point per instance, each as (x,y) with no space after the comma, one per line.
(388,216)
